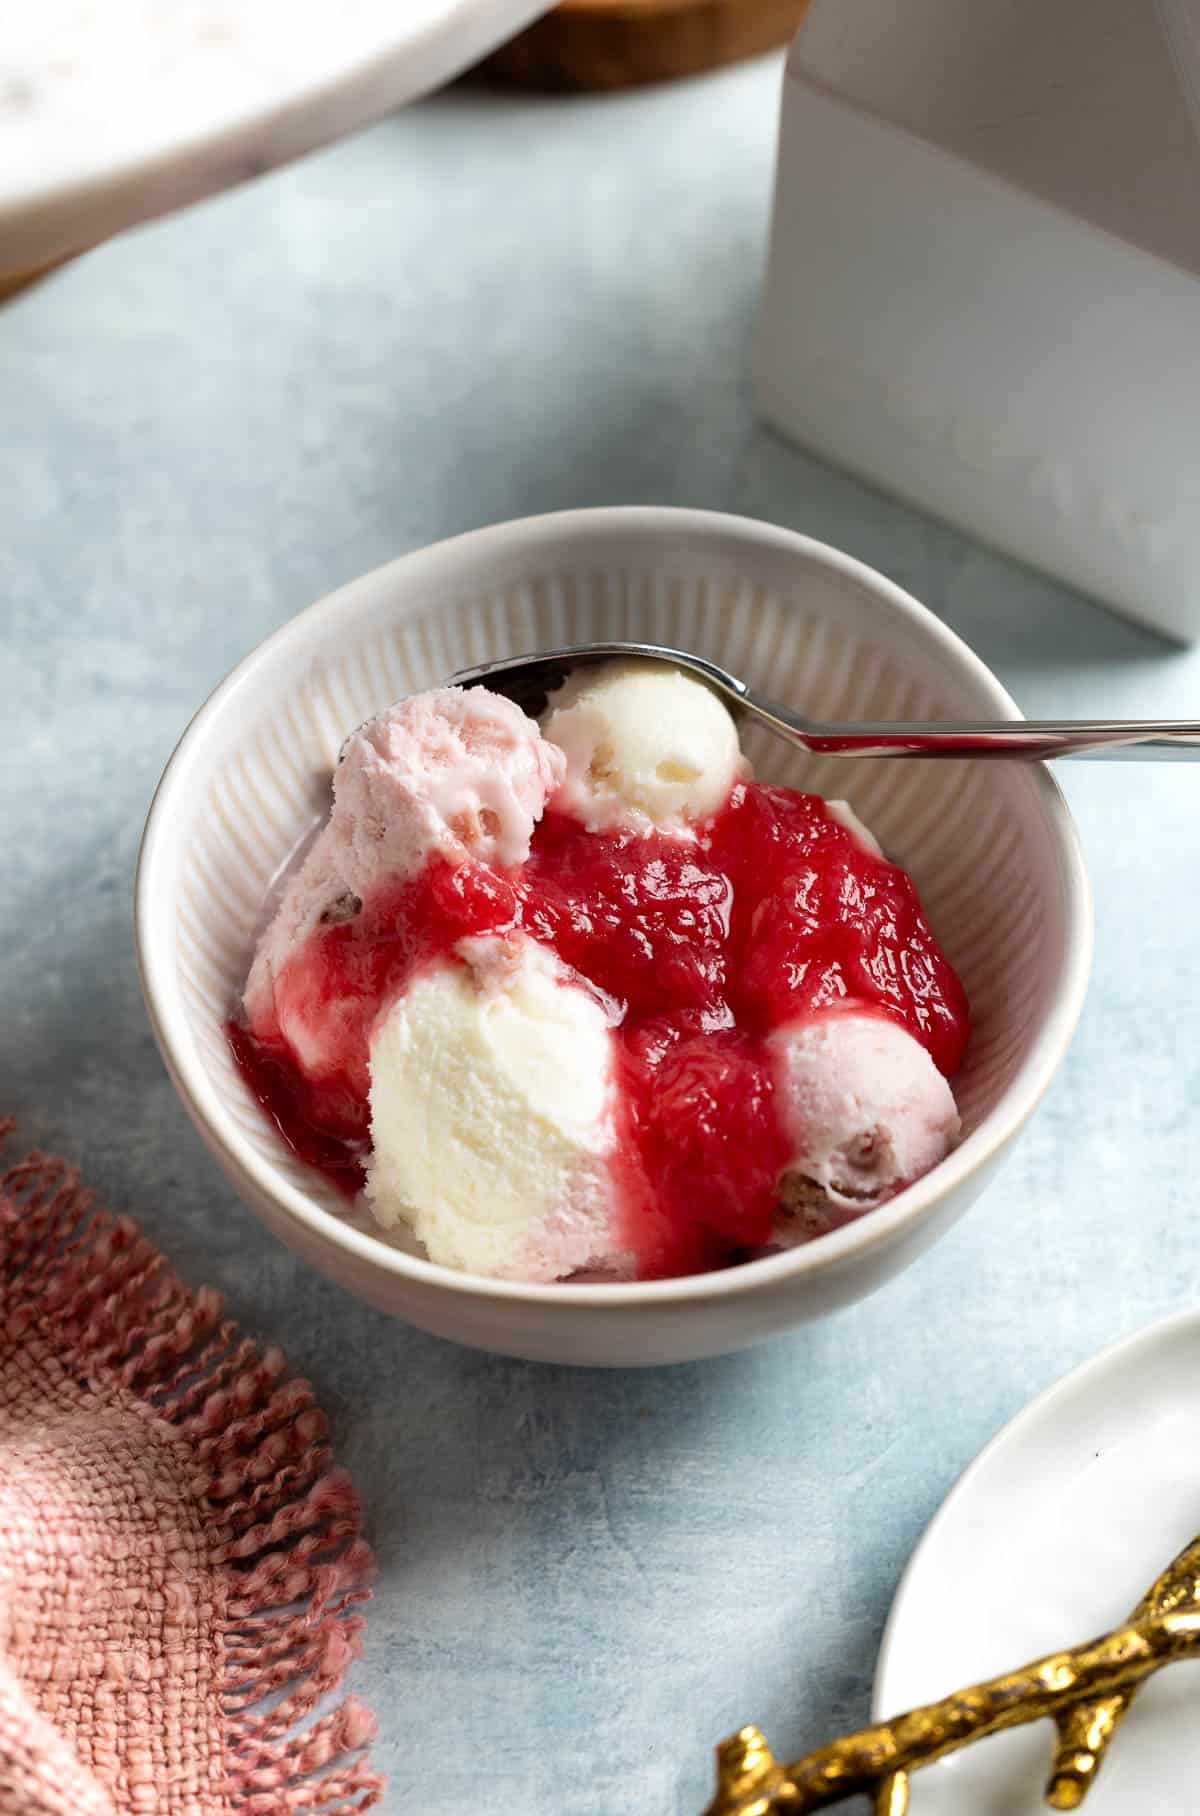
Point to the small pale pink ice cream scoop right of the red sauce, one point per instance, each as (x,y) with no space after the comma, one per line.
(863,1105)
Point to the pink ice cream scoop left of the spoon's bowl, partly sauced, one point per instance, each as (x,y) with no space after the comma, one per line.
(446,775)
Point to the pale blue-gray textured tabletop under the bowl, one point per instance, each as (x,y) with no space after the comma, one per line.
(480,310)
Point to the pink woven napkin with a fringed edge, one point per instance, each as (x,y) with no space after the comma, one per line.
(179,1563)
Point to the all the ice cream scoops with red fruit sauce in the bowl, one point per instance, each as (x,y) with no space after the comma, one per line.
(587,1002)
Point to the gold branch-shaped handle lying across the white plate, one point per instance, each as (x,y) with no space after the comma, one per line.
(1087,1692)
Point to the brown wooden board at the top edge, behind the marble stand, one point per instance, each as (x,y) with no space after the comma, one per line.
(611,44)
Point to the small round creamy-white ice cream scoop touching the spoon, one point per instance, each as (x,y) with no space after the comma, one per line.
(645,745)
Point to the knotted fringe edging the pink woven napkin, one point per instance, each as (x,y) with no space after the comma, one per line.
(290,1526)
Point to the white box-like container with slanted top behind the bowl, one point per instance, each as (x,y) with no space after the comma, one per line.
(985,277)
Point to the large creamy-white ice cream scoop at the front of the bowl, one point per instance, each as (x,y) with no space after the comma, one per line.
(493,1116)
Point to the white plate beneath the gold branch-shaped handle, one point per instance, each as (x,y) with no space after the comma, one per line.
(1050,1539)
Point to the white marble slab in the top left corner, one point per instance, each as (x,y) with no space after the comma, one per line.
(113,112)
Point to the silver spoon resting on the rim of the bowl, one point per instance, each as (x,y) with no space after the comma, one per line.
(531,680)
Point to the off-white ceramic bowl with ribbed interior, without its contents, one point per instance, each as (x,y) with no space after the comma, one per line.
(992,847)
